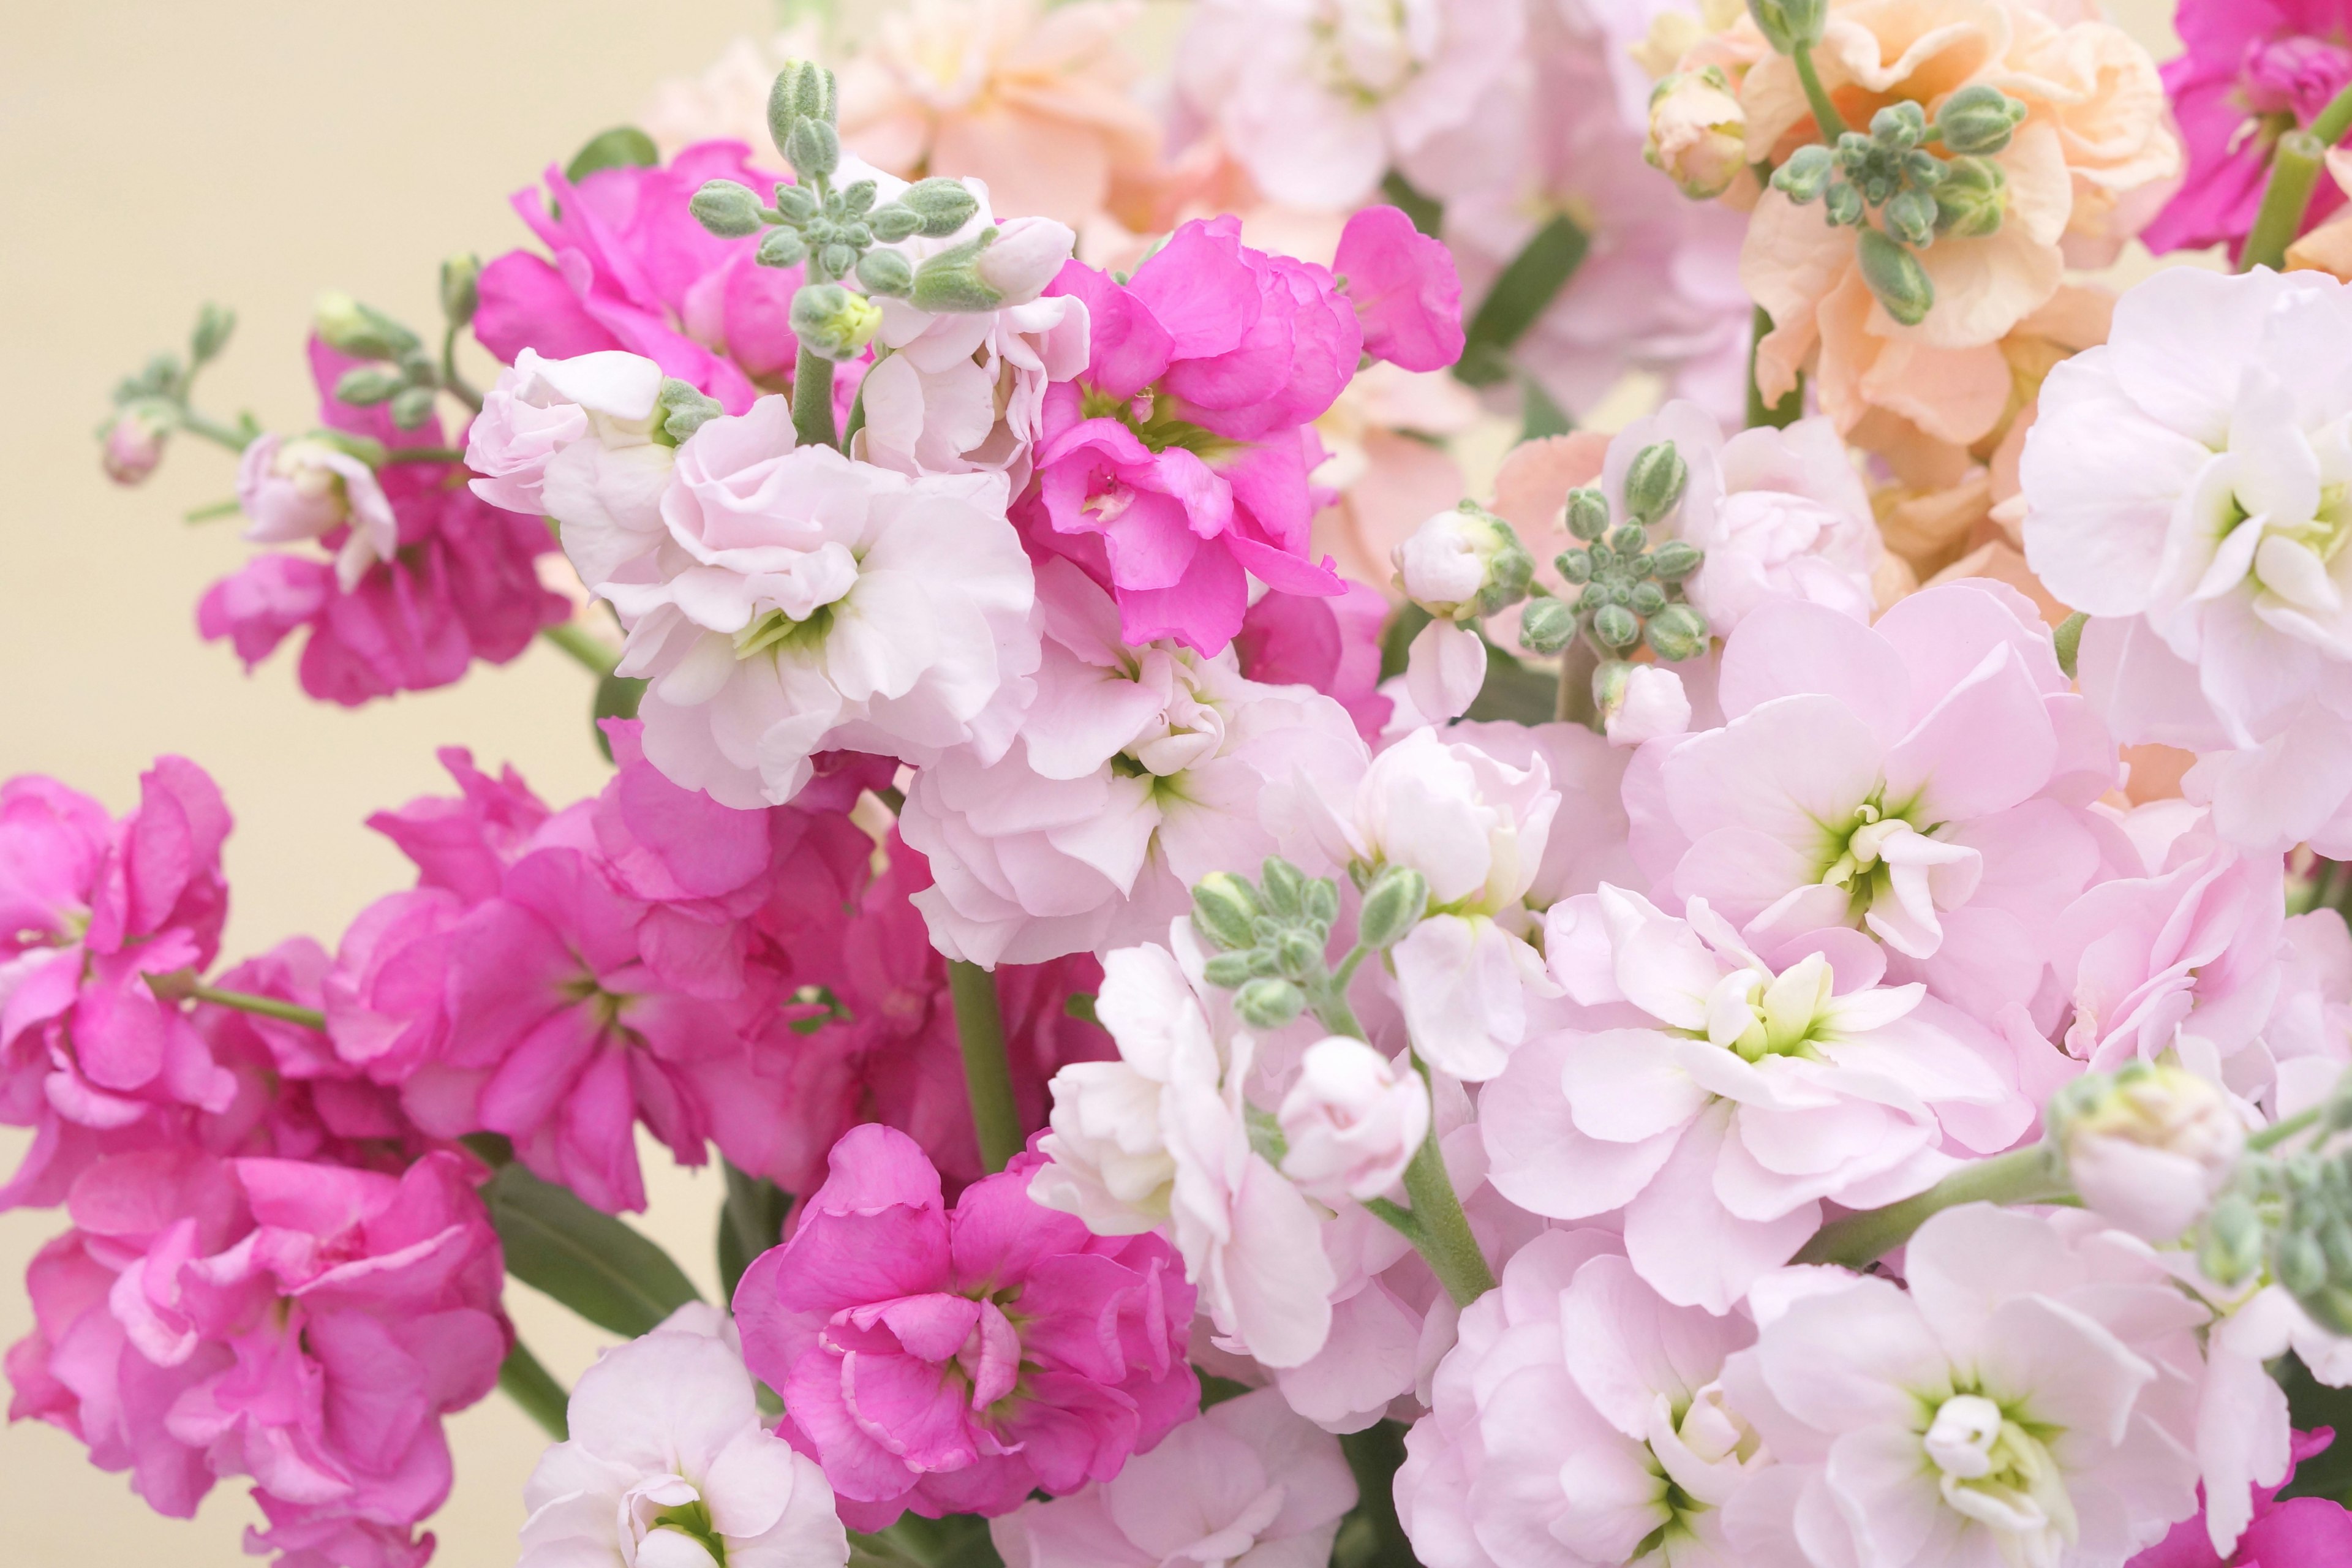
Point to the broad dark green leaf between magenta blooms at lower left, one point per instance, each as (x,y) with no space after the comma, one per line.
(584,1259)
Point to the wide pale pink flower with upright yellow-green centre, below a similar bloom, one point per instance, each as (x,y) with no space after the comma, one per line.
(1720,1099)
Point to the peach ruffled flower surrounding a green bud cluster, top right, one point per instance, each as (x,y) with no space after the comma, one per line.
(2080,170)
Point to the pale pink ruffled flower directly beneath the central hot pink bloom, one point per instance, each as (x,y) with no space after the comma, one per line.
(1137,775)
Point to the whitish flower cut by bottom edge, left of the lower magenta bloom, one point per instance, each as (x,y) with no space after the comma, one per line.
(671,1468)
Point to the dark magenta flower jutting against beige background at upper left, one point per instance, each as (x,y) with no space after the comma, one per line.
(460,584)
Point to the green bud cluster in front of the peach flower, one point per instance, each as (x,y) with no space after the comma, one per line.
(1916,194)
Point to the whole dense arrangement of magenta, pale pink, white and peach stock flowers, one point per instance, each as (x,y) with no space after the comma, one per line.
(1758,991)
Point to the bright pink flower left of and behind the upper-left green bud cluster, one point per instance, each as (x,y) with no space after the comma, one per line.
(634,269)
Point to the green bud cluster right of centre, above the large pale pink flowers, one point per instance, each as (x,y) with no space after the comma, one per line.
(1629,584)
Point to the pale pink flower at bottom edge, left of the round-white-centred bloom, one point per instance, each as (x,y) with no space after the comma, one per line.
(1577,1419)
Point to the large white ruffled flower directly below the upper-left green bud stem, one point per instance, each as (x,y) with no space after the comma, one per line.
(806,603)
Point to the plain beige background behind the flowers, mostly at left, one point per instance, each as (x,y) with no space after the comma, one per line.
(255,152)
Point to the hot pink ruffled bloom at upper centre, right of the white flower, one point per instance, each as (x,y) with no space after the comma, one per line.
(1177,464)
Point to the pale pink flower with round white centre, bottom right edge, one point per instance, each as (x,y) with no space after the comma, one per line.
(1998,1412)
